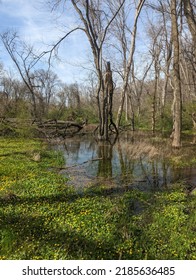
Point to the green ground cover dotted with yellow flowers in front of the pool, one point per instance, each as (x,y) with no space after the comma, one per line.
(43,218)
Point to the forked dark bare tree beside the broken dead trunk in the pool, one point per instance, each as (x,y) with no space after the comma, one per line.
(96,23)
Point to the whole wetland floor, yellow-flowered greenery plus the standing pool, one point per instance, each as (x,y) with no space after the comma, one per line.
(84,200)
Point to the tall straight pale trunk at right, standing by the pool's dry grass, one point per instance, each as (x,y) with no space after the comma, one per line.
(177,103)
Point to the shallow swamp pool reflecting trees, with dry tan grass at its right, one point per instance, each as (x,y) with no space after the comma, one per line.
(134,161)
